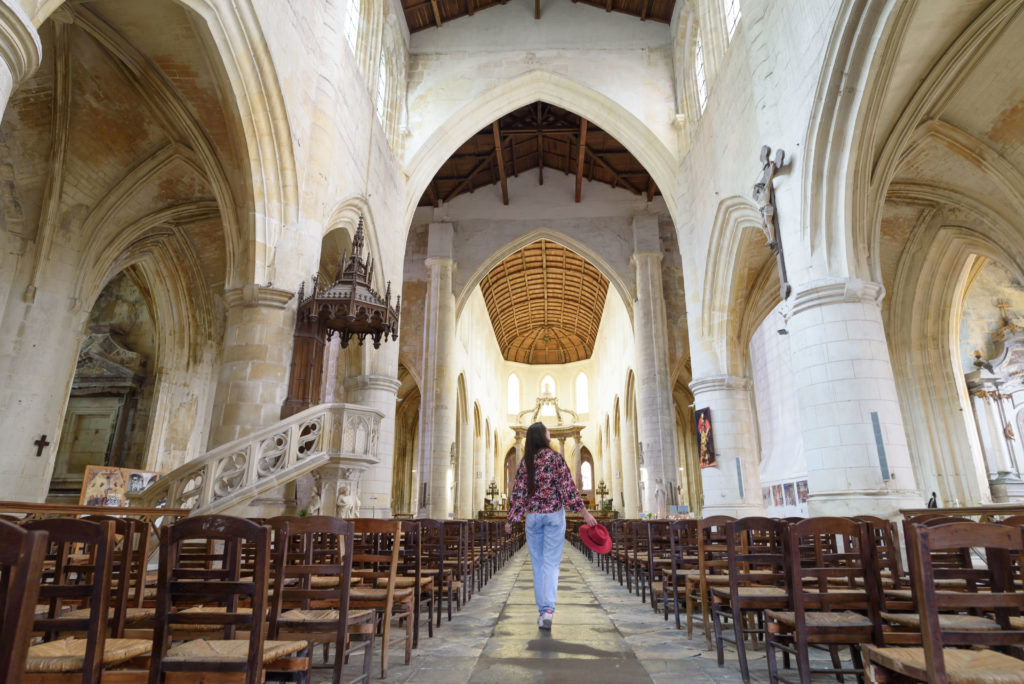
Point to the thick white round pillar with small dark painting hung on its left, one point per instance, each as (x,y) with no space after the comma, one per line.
(734,487)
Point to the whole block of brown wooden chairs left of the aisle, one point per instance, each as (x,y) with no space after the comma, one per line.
(232,596)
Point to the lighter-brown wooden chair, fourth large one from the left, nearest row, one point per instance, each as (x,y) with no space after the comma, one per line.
(376,552)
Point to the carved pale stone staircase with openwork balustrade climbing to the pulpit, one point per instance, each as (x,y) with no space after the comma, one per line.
(334,443)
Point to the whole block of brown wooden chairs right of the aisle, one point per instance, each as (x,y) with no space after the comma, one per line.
(833,583)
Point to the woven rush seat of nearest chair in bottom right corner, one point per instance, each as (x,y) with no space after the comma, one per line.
(963,666)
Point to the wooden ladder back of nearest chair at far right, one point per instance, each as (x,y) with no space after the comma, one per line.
(1003,601)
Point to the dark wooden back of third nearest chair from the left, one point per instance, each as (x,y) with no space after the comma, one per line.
(214,577)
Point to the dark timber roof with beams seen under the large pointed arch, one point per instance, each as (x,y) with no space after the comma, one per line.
(567,143)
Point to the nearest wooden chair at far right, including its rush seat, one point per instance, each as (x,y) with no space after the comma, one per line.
(937,660)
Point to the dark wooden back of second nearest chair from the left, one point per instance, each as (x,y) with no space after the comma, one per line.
(77,575)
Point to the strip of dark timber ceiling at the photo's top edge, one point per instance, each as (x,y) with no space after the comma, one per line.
(422,15)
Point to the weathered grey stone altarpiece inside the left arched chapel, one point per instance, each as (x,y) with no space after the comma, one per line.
(102,412)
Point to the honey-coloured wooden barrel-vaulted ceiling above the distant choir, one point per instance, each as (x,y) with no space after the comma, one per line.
(545,304)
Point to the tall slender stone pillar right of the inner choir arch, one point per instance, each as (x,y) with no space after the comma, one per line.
(656,413)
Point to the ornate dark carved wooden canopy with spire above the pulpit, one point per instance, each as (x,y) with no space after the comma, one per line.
(351,307)
